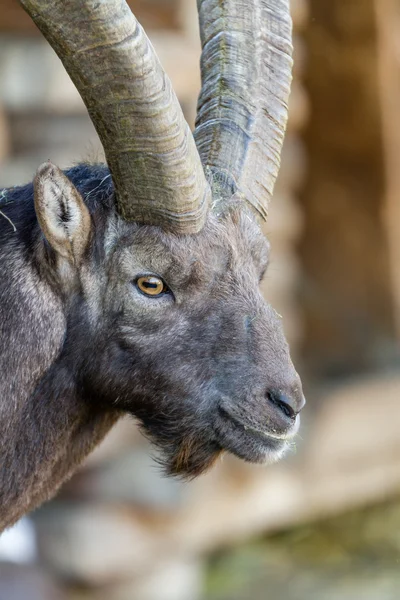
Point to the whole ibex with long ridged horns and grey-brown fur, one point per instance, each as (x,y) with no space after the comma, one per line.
(134,288)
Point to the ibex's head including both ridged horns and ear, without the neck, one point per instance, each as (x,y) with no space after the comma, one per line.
(166,320)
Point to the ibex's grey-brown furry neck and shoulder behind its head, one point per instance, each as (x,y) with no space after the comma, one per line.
(46,427)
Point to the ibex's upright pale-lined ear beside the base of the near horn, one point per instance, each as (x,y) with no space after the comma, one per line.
(61,212)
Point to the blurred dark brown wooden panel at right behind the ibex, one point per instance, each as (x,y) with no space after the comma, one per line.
(348,251)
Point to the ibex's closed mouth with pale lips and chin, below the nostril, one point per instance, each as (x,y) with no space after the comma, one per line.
(252,444)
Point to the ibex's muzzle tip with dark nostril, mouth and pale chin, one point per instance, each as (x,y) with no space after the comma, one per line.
(260,428)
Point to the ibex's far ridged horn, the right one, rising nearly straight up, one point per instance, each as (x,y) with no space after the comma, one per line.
(242,110)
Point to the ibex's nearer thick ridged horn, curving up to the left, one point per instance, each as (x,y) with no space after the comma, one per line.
(149,148)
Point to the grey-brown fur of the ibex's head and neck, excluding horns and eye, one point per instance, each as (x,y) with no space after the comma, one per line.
(205,368)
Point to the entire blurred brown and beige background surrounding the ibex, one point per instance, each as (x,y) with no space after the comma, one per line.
(324,524)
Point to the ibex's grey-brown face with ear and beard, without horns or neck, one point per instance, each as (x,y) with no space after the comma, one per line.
(173,328)
